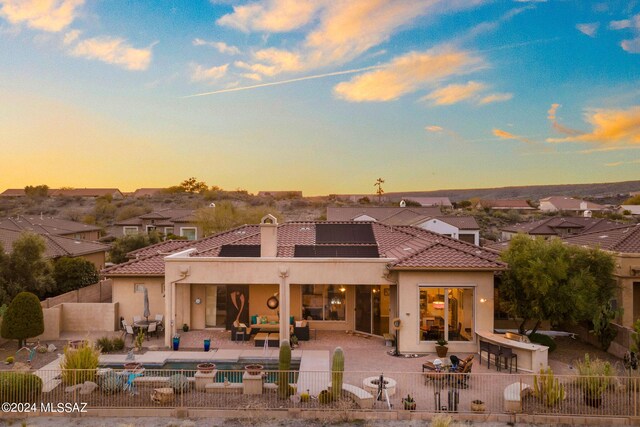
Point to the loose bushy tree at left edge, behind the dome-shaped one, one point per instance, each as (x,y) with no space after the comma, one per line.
(26,268)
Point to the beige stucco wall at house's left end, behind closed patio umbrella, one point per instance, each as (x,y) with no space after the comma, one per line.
(131,303)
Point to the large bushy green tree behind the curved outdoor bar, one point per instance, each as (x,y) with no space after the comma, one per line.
(548,280)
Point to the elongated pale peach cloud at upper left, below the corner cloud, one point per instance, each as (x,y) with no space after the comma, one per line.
(113,51)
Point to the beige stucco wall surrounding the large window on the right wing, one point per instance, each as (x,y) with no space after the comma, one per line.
(409,305)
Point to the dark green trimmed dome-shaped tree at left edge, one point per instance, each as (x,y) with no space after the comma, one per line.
(23,318)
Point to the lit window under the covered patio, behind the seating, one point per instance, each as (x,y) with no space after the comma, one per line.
(324,302)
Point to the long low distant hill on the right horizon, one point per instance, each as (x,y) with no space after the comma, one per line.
(531,192)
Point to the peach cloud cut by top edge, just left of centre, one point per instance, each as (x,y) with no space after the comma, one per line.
(272,16)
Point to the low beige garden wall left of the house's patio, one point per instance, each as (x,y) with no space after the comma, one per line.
(89,317)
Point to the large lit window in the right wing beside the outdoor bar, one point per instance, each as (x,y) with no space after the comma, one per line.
(446,313)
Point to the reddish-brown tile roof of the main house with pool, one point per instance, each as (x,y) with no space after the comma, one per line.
(411,247)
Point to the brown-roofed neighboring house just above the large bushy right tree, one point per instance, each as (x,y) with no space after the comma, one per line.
(557,226)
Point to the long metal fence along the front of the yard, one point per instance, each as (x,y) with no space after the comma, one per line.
(491,393)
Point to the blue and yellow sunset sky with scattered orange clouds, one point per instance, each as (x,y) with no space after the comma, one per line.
(323,96)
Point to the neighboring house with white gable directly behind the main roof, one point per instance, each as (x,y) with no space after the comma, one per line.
(459,227)
